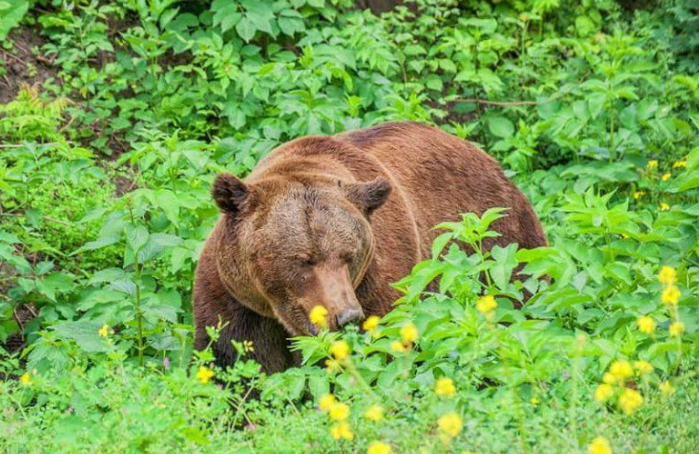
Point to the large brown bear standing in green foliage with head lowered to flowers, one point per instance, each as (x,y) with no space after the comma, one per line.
(332,221)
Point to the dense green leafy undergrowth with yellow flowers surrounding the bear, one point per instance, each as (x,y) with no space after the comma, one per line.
(115,116)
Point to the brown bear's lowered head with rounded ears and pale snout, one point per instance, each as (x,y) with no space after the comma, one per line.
(285,246)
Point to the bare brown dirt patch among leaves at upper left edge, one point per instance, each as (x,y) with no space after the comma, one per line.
(22,66)
